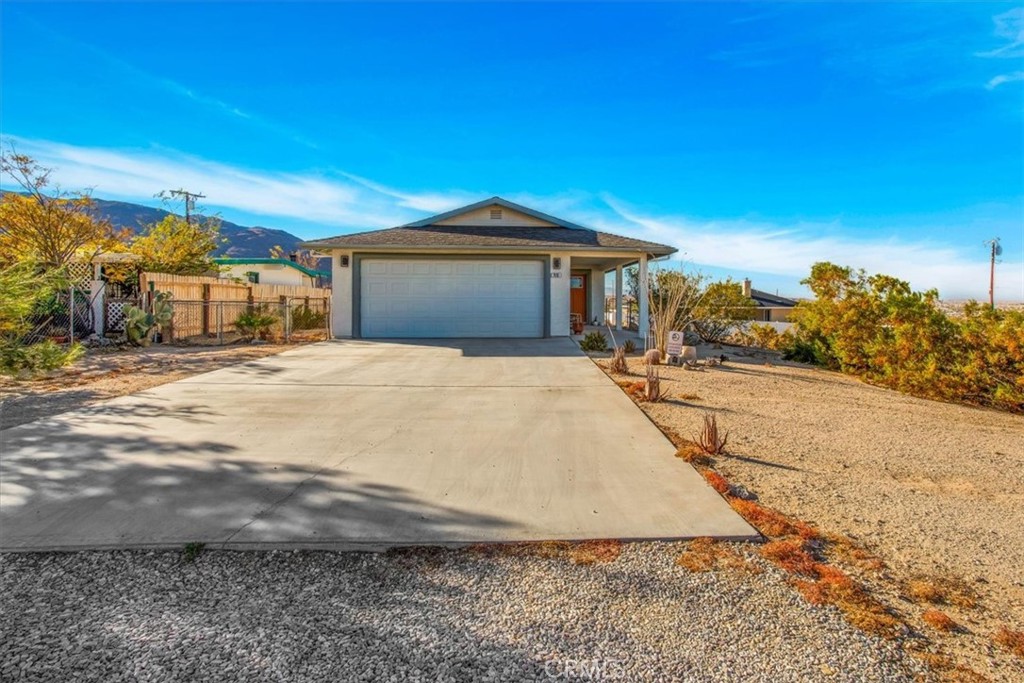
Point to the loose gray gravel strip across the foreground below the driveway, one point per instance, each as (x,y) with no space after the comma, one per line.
(422,615)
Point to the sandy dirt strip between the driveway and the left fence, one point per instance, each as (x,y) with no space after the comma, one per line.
(108,374)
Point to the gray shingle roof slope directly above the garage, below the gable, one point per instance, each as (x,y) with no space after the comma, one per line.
(492,237)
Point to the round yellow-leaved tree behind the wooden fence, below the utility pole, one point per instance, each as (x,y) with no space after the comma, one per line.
(178,246)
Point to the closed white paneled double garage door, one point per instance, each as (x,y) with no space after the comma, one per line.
(451,298)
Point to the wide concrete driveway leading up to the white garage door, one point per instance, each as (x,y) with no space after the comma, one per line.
(359,444)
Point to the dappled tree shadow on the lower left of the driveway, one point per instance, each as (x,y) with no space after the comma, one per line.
(106,478)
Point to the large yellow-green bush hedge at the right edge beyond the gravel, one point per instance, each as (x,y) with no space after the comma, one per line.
(877,327)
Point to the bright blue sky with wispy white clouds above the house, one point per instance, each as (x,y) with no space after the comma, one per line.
(756,138)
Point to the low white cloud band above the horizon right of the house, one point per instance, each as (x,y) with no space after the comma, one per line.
(747,247)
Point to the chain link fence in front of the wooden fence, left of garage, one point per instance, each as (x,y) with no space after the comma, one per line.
(219,323)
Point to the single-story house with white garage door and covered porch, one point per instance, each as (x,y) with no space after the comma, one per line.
(489,270)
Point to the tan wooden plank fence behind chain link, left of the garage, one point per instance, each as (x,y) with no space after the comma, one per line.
(208,307)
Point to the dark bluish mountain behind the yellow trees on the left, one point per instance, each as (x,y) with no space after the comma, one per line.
(242,241)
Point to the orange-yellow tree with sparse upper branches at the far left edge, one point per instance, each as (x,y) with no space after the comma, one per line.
(49,229)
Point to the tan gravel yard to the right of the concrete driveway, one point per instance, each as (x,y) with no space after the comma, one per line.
(933,489)
